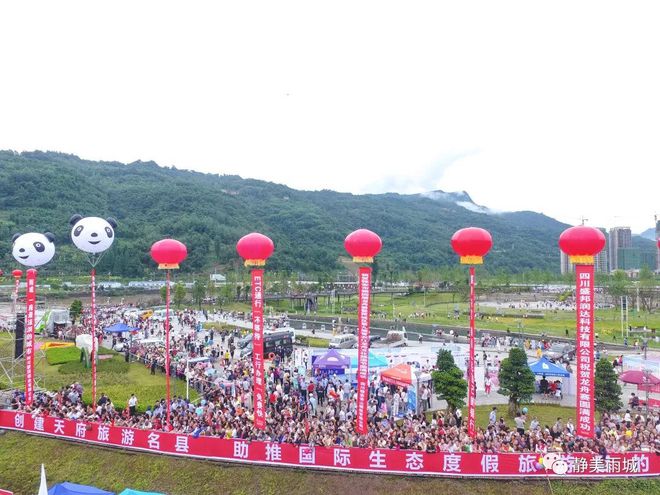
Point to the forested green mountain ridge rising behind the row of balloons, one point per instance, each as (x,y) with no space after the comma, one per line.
(39,191)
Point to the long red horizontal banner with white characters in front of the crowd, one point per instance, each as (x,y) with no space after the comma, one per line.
(367,460)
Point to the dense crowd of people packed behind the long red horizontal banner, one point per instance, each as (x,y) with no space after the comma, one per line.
(320,409)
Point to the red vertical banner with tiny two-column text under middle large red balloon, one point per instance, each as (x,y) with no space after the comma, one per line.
(364,310)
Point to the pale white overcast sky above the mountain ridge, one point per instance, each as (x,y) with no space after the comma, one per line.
(546,106)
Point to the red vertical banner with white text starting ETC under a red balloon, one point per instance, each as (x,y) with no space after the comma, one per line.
(258,348)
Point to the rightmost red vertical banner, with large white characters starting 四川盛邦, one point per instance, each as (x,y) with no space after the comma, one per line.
(584,294)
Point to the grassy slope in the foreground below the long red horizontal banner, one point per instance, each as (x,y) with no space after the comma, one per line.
(21,457)
